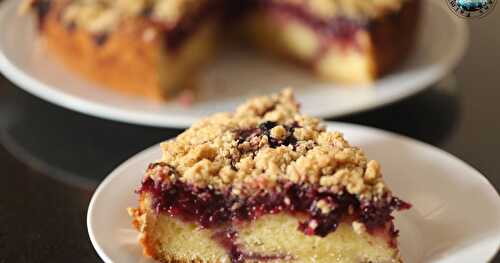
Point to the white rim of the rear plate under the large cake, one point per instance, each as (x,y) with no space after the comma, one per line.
(110,112)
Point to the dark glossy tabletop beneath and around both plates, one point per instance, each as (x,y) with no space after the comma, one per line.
(53,158)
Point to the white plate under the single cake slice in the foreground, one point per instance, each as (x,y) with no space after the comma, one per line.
(455,215)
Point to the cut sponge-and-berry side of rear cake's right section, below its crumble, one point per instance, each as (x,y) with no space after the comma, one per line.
(362,54)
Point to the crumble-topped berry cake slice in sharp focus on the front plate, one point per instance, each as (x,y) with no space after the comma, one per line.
(265,184)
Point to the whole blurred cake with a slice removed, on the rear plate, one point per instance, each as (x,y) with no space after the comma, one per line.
(155,48)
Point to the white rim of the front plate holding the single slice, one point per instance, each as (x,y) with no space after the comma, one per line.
(338,126)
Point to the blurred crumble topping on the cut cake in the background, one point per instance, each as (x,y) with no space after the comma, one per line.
(99,16)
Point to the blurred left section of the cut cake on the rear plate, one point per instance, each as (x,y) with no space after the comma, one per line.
(141,47)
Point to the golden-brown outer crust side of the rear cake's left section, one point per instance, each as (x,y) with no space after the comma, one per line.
(108,63)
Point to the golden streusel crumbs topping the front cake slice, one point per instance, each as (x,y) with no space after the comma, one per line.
(265,144)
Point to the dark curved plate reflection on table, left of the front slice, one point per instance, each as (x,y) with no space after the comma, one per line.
(72,147)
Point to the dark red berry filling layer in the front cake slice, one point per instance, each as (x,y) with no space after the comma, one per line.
(210,208)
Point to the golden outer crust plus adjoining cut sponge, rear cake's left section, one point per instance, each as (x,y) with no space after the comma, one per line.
(132,58)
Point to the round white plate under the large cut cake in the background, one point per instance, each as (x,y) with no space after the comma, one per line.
(233,77)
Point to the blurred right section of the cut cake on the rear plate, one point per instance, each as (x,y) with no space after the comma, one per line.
(347,41)
